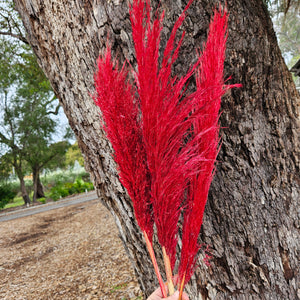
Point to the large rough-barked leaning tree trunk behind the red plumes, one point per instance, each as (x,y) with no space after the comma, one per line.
(251,221)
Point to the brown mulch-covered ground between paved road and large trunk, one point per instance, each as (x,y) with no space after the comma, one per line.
(67,253)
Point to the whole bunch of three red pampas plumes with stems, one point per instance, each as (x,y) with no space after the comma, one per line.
(165,142)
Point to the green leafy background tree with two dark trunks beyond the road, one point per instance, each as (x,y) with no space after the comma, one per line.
(28,104)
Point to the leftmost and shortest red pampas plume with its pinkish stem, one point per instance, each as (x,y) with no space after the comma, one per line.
(121,121)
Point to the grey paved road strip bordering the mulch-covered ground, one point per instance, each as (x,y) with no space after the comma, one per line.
(24,212)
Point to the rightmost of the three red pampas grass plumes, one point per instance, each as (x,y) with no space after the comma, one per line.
(210,88)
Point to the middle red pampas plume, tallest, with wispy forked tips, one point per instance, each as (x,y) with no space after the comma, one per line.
(165,122)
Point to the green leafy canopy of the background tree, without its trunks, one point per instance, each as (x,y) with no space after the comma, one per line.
(25,126)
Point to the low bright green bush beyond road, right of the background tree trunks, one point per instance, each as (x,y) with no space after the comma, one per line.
(68,188)
